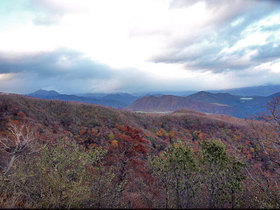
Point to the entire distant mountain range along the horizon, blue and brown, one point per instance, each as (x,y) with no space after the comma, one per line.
(209,102)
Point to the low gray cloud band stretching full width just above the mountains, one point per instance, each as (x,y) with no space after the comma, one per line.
(53,71)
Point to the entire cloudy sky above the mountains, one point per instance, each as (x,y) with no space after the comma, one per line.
(94,46)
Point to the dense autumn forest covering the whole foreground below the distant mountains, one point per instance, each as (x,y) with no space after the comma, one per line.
(57,154)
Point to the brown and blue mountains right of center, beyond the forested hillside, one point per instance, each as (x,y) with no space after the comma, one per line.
(216,103)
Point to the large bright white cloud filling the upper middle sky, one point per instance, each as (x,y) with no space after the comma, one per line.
(130,34)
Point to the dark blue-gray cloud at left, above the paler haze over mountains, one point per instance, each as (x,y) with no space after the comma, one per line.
(59,63)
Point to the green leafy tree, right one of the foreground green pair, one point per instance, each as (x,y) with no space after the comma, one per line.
(222,175)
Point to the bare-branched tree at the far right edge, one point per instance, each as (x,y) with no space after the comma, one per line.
(266,133)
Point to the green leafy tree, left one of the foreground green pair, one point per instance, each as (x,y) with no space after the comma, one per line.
(175,172)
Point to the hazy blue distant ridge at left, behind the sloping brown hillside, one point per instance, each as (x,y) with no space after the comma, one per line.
(111,100)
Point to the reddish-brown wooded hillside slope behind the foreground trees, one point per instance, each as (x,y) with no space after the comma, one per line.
(96,126)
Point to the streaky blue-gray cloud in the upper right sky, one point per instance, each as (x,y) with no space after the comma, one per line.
(203,53)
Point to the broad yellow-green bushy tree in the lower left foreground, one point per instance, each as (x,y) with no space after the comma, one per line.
(63,175)
